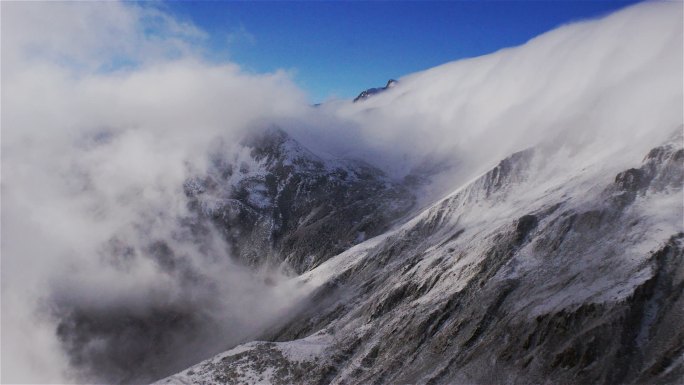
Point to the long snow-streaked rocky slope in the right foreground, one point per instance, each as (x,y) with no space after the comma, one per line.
(518,277)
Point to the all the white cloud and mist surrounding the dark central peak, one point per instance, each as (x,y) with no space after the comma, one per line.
(108,108)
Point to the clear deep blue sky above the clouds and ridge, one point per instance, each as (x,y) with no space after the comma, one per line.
(341,48)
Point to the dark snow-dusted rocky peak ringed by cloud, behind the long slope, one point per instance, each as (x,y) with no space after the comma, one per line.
(278,203)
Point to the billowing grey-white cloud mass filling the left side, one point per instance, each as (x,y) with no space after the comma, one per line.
(107,110)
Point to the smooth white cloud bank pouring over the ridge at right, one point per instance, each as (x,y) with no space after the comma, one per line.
(595,86)
